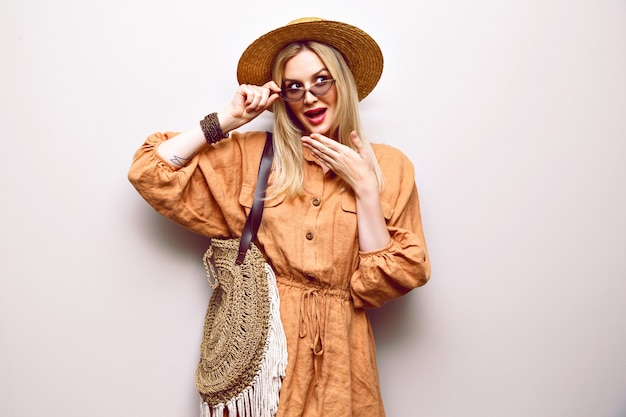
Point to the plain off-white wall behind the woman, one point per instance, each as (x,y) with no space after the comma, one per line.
(514,113)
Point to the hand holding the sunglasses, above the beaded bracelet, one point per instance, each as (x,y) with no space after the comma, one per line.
(249,102)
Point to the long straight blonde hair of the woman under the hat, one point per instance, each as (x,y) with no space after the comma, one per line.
(288,176)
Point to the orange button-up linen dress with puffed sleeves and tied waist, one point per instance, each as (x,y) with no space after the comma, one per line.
(325,283)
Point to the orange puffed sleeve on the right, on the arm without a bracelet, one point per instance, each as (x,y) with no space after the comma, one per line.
(404,264)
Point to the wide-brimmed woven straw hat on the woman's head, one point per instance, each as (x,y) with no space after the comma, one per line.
(361,52)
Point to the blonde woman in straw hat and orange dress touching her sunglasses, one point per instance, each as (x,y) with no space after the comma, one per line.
(341,225)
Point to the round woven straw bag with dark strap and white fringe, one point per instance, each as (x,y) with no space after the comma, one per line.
(243,354)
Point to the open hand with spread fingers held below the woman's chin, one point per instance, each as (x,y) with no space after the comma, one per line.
(354,167)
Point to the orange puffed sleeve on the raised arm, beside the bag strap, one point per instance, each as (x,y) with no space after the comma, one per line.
(203,196)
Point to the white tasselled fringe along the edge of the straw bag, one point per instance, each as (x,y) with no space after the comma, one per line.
(260,399)
